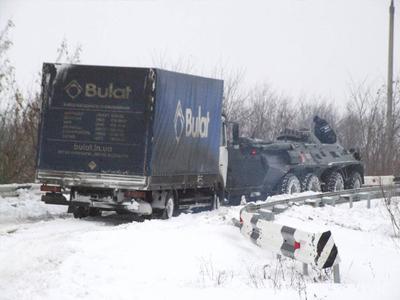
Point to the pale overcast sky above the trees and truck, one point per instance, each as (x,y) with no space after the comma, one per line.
(312,47)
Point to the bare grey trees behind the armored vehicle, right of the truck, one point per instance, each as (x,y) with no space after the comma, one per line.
(263,113)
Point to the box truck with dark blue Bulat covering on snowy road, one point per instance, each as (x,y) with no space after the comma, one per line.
(130,140)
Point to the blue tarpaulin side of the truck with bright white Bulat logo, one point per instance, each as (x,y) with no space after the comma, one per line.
(186,129)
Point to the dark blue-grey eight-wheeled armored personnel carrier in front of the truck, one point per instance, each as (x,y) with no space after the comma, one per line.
(297,161)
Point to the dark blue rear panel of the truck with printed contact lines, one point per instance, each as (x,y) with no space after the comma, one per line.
(93,119)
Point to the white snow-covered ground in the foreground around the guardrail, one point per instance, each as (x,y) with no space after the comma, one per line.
(46,254)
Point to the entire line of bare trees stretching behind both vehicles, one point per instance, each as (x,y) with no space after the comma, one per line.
(261,111)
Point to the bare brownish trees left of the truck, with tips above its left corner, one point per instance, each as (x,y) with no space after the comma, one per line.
(19,119)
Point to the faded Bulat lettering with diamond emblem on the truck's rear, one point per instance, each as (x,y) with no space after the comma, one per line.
(74,89)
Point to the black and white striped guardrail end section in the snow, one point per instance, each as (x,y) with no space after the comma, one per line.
(317,249)
